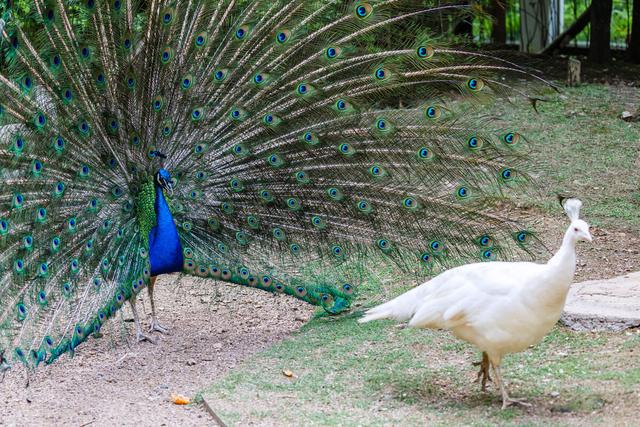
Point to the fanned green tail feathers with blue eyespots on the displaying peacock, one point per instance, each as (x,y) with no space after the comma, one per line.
(283,167)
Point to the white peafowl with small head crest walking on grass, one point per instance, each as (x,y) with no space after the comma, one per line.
(500,307)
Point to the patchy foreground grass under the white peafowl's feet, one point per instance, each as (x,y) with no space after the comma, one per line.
(377,374)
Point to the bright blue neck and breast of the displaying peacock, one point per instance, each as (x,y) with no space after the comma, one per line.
(165,250)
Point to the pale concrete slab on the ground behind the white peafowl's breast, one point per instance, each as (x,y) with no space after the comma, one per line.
(601,305)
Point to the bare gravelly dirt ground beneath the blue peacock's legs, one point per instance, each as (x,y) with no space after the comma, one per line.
(117,381)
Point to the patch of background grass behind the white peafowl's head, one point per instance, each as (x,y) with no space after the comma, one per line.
(581,146)
